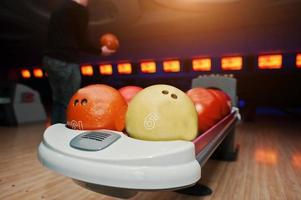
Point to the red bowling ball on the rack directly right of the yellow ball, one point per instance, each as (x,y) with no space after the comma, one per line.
(207,106)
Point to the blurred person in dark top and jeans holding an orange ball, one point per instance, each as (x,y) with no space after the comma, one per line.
(67,37)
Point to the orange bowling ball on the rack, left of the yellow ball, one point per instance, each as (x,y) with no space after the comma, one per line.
(97,107)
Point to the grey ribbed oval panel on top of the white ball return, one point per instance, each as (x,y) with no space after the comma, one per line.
(94,141)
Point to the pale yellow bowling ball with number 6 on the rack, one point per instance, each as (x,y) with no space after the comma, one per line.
(161,112)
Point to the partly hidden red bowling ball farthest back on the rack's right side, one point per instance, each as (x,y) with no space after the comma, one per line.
(223,101)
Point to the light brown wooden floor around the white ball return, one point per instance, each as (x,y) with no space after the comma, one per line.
(268,167)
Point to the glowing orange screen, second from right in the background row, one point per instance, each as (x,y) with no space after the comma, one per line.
(270,61)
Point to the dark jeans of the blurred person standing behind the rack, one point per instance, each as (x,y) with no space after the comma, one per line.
(65,80)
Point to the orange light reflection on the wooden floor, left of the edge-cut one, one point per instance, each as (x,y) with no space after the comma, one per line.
(266,156)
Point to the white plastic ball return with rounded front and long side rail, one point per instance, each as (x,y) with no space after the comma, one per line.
(112,163)
